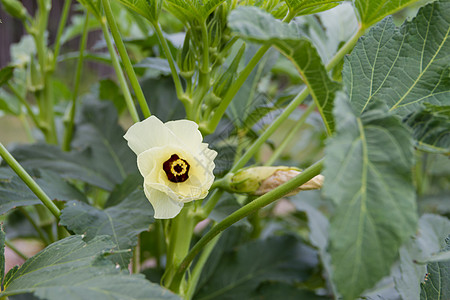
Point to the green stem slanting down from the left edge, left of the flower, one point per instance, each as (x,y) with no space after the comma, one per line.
(35,188)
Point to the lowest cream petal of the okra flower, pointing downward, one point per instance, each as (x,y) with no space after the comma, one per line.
(164,207)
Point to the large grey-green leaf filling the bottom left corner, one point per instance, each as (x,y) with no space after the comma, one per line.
(73,270)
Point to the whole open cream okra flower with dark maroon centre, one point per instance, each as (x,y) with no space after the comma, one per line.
(177,167)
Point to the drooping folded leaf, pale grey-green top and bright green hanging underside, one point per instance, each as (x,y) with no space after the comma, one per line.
(262,27)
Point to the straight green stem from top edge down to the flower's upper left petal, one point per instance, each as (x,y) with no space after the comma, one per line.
(126,59)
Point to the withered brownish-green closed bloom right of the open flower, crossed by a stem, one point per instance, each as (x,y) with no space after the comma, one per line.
(261,180)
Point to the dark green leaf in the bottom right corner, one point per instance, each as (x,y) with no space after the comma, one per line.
(437,280)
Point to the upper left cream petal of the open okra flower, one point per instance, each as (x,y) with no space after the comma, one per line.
(148,134)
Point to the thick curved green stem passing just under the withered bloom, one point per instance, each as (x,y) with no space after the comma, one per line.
(249,208)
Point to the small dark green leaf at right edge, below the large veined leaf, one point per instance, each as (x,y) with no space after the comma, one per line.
(431,128)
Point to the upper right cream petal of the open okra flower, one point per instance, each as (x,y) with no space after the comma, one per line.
(187,133)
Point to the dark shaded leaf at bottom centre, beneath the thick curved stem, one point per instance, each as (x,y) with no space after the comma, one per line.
(241,271)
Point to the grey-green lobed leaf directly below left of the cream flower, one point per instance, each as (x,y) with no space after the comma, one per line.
(123,222)
